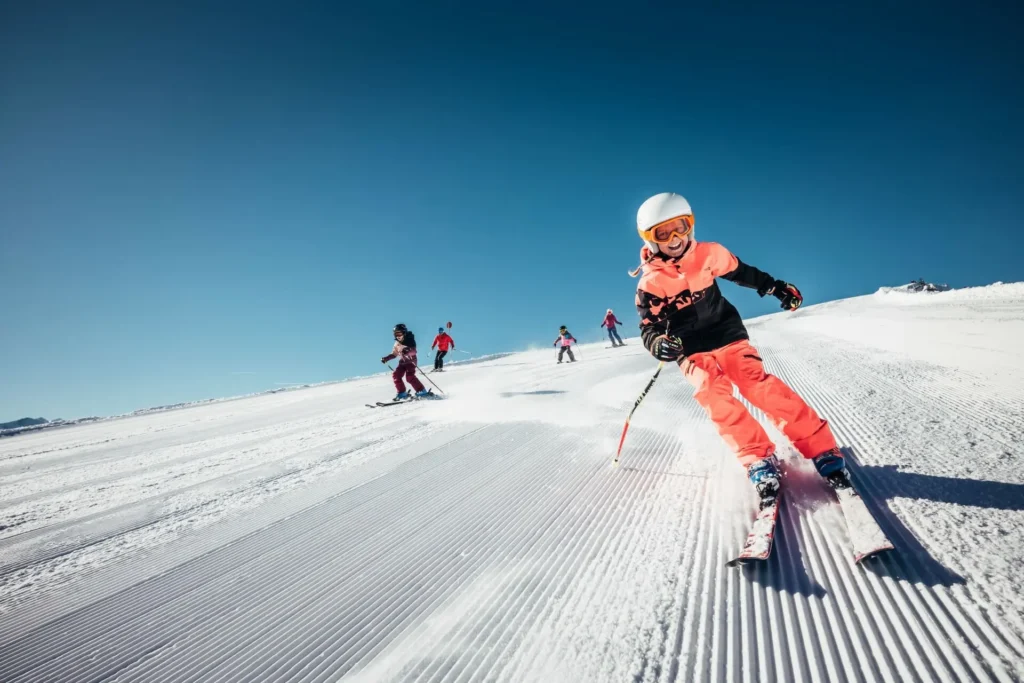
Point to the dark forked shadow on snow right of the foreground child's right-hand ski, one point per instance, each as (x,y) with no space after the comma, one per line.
(912,562)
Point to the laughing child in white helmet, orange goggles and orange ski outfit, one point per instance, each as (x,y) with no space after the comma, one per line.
(686,319)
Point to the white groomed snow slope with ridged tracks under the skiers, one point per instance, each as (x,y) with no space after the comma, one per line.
(303,537)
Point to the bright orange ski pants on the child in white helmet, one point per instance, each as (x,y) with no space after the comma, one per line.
(713,375)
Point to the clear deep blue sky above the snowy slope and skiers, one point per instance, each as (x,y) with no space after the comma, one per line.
(200,202)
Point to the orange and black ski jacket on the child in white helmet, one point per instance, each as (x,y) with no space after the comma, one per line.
(680,295)
